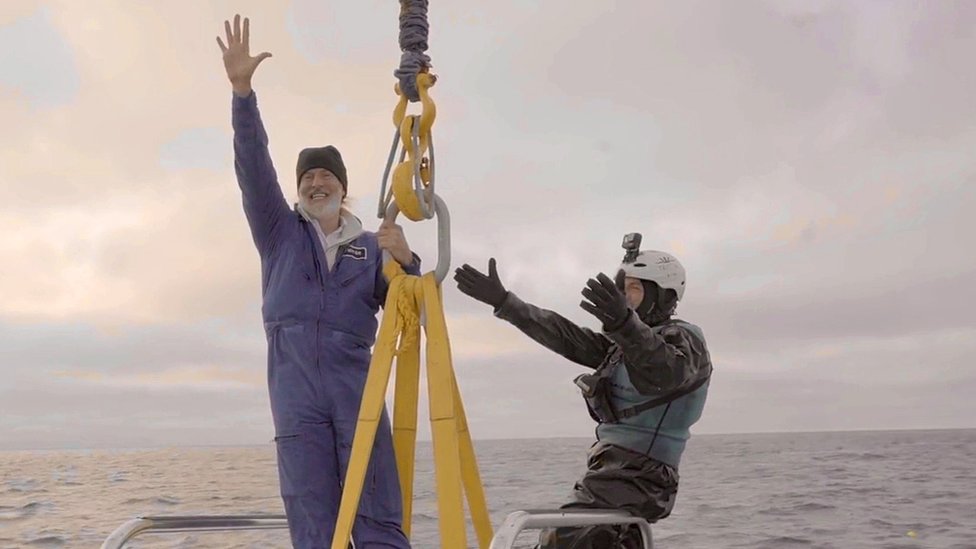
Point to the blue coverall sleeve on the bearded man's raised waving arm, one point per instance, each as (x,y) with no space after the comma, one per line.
(264,204)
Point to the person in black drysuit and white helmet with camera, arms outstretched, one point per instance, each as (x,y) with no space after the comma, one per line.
(649,385)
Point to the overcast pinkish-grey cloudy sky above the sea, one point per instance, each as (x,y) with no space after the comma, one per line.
(810,163)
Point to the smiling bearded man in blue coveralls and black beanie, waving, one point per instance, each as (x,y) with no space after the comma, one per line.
(322,286)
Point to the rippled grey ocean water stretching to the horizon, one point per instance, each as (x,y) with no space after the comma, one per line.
(896,489)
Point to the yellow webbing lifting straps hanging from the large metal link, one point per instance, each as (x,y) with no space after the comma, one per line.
(455,464)
